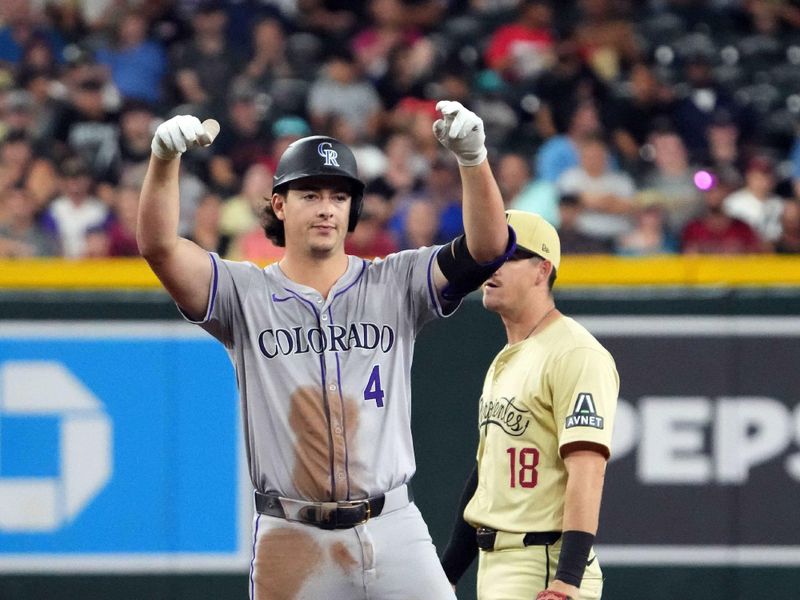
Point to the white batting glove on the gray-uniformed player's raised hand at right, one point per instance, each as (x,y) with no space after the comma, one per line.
(461,131)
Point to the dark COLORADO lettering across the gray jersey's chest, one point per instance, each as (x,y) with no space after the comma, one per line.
(332,338)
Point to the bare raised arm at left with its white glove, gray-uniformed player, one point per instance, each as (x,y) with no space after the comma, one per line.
(182,266)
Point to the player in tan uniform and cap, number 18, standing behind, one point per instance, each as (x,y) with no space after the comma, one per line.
(545,419)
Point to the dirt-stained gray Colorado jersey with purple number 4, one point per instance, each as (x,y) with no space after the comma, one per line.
(325,383)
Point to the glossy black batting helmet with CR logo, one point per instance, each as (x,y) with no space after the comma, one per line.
(320,155)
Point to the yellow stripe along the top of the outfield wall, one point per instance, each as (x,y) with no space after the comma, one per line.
(577,271)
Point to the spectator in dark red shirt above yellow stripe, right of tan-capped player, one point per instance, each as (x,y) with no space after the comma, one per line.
(715,232)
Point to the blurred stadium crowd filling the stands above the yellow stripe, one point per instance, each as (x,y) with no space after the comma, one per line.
(636,128)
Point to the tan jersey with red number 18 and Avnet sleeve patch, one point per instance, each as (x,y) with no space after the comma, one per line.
(557,387)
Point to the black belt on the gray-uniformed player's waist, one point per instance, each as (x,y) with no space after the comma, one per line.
(343,514)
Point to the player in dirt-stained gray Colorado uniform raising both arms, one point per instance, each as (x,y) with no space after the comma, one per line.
(322,344)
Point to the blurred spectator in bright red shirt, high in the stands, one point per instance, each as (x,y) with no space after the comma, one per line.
(525,48)
